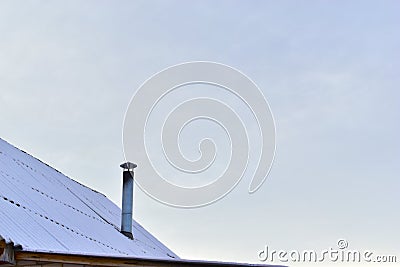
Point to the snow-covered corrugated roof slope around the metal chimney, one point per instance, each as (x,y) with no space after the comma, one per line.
(43,210)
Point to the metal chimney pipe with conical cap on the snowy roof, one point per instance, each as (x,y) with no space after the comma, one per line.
(127,198)
